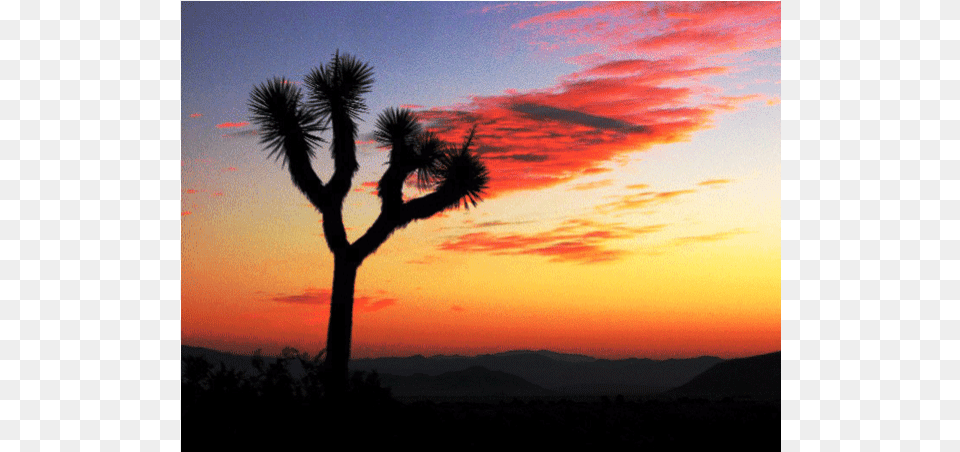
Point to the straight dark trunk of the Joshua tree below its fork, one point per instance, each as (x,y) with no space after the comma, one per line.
(340,326)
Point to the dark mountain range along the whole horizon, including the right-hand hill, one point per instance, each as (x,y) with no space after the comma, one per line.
(528,373)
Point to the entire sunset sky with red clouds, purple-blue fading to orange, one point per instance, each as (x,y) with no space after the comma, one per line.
(634,203)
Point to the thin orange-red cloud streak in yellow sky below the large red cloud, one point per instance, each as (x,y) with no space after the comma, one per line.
(578,241)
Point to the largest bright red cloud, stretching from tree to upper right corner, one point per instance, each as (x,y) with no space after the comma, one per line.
(653,92)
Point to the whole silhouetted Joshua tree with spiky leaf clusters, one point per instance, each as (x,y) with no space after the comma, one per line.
(291,127)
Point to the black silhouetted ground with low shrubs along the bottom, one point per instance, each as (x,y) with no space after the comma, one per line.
(225,410)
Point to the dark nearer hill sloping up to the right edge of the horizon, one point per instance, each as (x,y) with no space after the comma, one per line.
(756,377)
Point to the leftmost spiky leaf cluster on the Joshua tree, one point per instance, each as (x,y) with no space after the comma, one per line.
(288,127)
